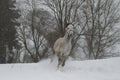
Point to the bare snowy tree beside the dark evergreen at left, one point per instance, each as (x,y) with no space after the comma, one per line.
(32,31)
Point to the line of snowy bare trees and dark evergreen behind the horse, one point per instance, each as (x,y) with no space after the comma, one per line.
(28,33)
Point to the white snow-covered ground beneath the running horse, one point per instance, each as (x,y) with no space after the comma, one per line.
(106,69)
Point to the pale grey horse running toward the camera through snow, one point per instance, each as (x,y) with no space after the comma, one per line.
(62,46)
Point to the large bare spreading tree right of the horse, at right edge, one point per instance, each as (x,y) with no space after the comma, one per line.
(100,33)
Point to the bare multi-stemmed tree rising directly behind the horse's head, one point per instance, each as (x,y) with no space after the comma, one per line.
(65,12)
